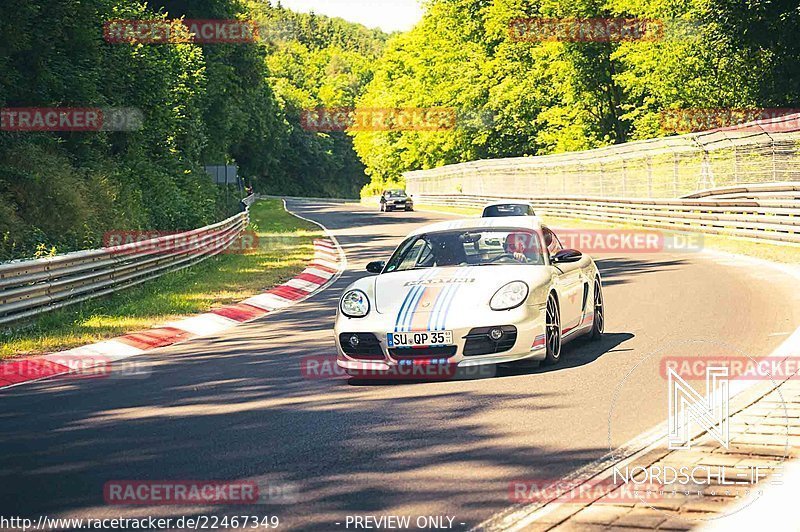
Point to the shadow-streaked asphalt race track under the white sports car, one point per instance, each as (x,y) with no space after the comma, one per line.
(236,406)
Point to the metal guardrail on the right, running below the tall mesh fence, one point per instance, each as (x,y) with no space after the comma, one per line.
(766,219)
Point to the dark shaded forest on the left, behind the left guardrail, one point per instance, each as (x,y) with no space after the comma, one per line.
(201,104)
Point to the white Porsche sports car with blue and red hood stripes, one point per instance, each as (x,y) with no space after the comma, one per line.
(467,292)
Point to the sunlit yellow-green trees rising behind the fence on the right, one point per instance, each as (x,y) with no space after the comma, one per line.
(520,96)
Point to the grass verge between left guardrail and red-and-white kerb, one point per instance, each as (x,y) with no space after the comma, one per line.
(285,245)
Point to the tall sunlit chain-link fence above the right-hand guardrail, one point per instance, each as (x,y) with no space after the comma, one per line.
(756,152)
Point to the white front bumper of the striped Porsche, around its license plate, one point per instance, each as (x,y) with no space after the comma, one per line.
(529,322)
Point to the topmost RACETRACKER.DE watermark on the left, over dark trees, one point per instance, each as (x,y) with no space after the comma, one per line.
(166,31)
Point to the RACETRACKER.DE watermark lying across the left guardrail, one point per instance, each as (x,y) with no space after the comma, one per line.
(124,242)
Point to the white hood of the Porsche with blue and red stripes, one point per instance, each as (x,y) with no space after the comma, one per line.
(438,291)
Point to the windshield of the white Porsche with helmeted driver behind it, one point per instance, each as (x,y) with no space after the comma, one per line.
(472,247)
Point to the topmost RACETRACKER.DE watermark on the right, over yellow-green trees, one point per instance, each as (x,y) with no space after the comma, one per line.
(585,29)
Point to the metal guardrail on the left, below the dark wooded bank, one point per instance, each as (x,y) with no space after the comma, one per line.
(32,287)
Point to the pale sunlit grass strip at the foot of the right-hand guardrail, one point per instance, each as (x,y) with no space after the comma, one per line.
(782,253)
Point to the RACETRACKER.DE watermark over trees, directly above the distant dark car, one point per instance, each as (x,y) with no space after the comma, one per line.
(378,119)
